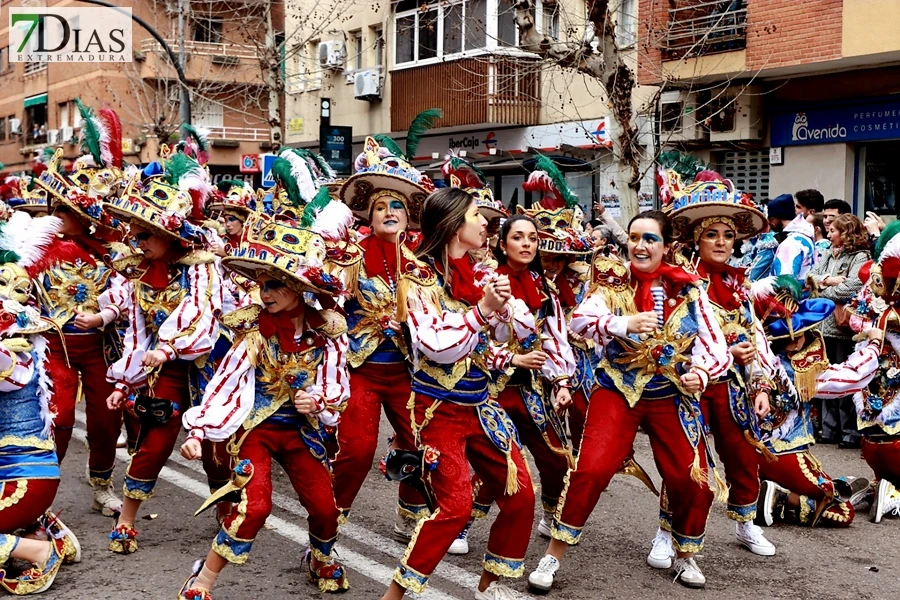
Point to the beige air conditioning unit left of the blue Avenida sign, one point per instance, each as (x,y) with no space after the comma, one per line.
(736,115)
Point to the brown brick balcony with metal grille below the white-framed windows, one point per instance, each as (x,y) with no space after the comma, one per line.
(489,90)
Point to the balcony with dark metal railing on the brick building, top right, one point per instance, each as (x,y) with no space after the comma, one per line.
(700,27)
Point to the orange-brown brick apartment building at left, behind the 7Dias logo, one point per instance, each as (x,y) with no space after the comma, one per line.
(223,44)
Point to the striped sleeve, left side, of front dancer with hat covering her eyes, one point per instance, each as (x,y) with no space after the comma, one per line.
(227,400)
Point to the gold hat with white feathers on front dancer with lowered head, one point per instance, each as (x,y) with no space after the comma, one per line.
(302,253)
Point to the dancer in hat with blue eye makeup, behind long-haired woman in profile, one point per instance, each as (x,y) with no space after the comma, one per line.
(388,194)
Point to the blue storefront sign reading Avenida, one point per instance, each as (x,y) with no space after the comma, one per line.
(860,122)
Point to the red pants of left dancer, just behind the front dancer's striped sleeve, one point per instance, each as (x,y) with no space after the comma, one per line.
(159,441)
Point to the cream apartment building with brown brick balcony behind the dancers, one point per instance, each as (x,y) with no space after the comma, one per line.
(385,61)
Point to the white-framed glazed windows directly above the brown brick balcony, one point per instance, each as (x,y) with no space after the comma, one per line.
(442,29)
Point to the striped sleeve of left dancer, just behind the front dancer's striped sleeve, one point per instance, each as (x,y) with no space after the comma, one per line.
(190,331)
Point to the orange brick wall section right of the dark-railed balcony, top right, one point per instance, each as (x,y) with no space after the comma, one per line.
(781,34)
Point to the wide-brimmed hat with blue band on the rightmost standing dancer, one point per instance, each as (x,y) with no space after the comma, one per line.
(708,200)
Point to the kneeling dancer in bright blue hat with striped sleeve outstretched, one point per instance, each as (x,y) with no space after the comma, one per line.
(795,487)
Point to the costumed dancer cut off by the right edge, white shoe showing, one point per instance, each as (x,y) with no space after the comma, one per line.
(878,406)
